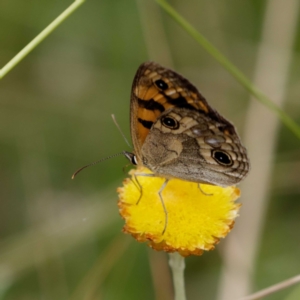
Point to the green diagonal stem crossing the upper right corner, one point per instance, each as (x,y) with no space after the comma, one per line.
(234,71)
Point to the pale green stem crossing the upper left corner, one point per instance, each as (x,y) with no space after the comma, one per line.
(39,38)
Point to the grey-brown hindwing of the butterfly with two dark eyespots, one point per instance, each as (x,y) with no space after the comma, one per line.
(185,144)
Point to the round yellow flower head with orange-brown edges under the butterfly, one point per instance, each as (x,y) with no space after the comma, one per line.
(197,215)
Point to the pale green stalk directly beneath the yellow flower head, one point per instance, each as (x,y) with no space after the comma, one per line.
(177,264)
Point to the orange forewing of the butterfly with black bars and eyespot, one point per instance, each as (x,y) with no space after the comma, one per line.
(156,89)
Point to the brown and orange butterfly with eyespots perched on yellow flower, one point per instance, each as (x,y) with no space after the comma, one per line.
(177,134)
